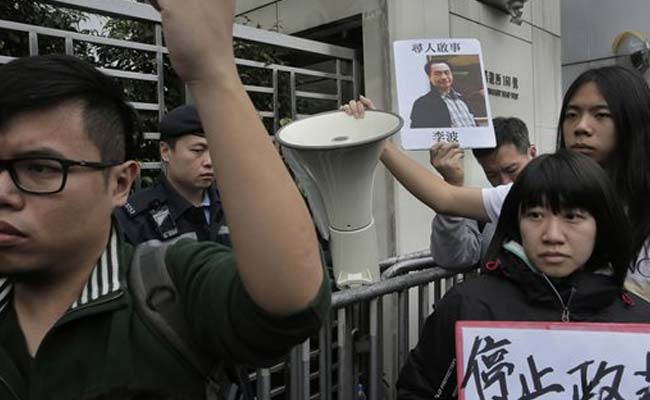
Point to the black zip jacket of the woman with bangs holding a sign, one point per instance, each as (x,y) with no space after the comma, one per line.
(509,291)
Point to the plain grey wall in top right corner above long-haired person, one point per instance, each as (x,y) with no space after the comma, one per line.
(589,28)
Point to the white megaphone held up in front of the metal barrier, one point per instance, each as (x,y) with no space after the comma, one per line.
(334,156)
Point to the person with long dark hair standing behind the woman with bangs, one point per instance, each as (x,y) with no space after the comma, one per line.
(606,116)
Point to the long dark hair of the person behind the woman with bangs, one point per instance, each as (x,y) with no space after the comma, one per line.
(628,97)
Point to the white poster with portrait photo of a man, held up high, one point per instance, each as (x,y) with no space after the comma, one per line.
(441,93)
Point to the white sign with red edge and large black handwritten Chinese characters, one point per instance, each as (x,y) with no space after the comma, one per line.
(538,360)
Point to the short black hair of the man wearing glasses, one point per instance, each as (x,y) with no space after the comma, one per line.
(40,82)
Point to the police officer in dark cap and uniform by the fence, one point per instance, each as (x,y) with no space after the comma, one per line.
(185,201)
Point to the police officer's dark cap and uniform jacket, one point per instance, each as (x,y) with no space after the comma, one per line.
(160,212)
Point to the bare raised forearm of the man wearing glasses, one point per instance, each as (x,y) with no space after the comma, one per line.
(273,237)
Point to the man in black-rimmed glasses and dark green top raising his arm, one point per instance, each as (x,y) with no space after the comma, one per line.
(69,328)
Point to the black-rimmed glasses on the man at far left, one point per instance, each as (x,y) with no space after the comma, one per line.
(45,175)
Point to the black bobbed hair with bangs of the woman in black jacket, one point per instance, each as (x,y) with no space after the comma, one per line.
(566,180)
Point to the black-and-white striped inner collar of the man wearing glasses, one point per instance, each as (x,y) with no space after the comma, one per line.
(104,280)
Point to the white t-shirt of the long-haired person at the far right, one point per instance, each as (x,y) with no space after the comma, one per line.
(637,280)
